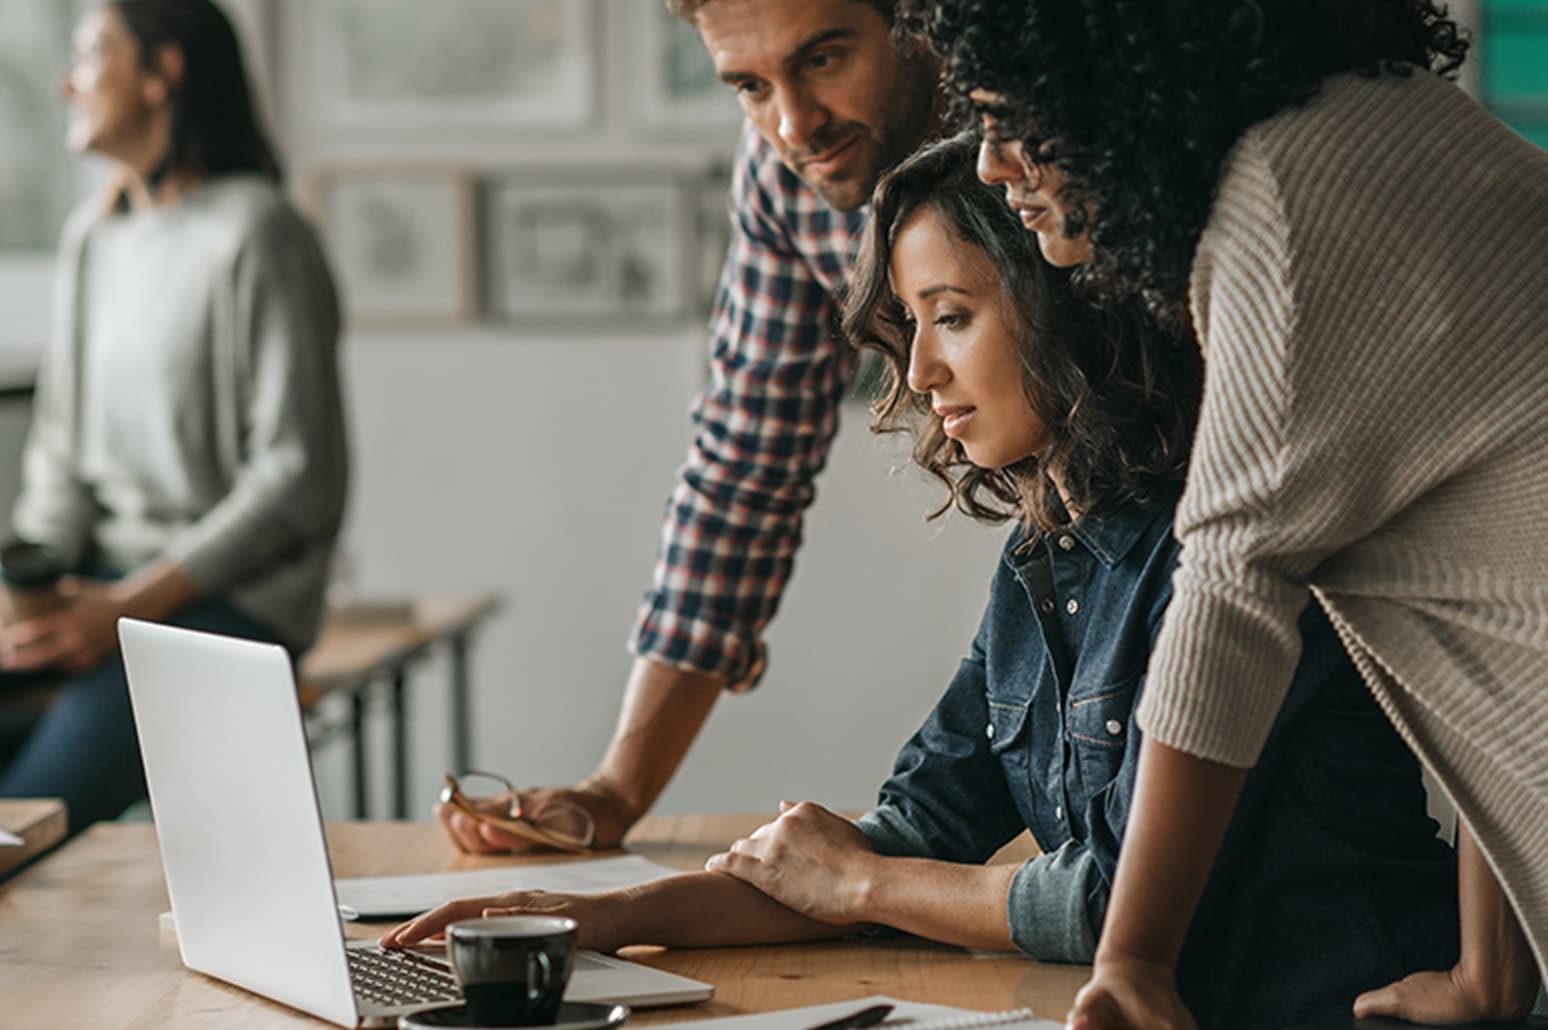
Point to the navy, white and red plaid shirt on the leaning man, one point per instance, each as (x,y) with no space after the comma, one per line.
(762,427)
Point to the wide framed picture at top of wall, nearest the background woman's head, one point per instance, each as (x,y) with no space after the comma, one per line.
(453,66)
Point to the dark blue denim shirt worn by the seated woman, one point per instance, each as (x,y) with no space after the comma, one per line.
(1331,879)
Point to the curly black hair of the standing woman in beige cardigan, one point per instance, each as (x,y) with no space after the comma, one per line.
(1140,101)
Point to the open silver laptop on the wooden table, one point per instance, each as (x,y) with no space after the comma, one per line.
(242,843)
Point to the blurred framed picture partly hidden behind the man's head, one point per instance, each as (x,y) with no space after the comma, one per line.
(679,88)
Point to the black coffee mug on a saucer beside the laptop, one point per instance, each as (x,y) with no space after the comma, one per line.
(513,969)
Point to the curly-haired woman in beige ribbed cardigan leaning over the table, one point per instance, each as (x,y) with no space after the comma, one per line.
(1358,249)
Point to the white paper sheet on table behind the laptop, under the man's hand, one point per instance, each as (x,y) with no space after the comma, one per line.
(385,898)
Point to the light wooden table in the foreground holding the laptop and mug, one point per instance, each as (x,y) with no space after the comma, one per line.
(80,944)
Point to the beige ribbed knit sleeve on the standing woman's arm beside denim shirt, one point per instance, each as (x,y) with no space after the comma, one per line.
(1228,645)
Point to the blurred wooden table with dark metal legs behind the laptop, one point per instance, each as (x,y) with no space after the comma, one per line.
(368,644)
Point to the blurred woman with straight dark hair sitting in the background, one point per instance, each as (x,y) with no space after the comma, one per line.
(187,459)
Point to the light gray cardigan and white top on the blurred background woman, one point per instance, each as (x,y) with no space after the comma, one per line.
(190,403)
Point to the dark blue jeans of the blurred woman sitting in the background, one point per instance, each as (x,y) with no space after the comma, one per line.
(84,749)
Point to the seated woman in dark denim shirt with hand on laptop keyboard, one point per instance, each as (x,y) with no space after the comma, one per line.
(1032,405)
